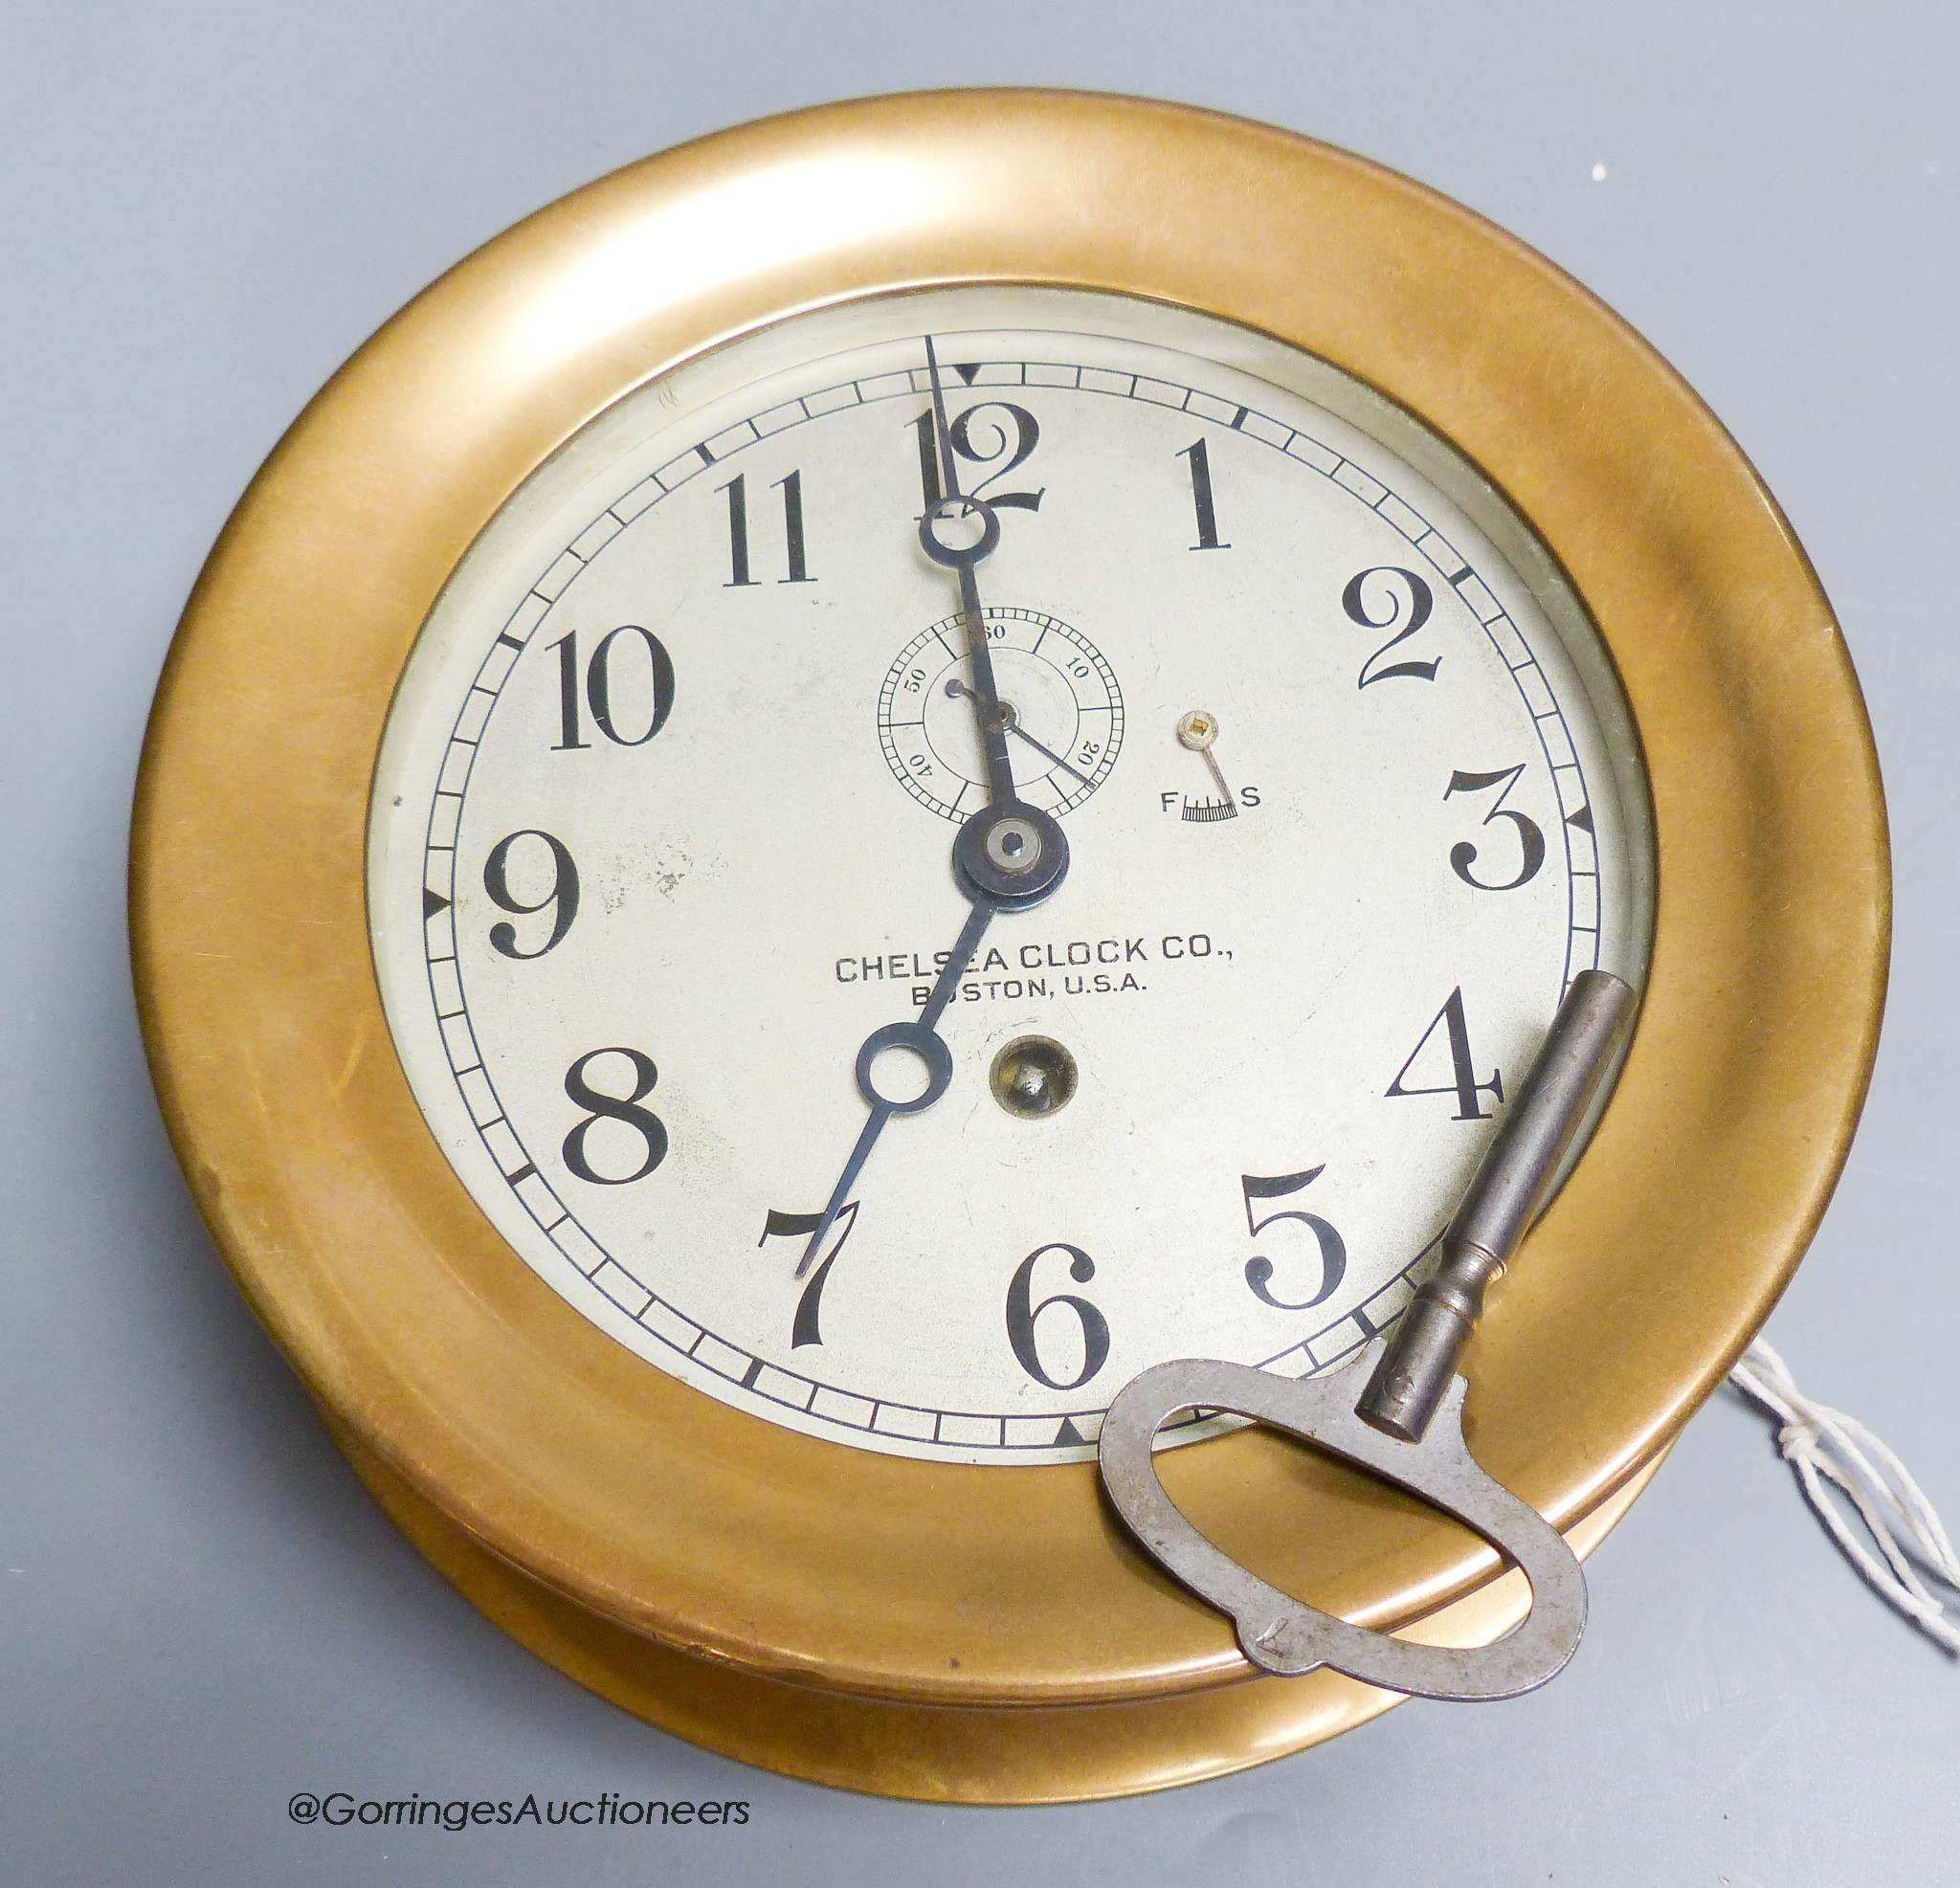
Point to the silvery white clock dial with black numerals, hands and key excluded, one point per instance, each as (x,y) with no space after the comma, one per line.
(650,862)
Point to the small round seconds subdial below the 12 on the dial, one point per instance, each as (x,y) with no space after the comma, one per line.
(1059,703)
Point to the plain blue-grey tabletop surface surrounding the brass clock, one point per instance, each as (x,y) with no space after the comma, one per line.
(203,211)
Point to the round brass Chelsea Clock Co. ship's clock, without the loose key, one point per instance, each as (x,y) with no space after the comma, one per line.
(716,1077)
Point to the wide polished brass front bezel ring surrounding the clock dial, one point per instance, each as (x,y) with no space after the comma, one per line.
(716,1534)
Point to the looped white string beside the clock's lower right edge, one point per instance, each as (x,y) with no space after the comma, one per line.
(1826,1446)
